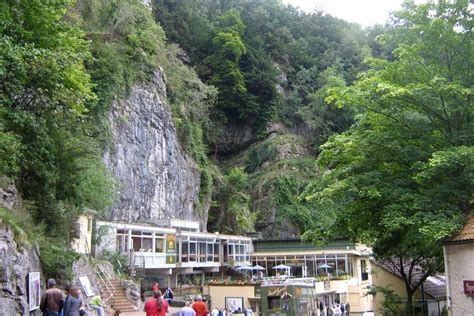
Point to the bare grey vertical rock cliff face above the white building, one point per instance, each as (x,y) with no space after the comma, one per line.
(158,180)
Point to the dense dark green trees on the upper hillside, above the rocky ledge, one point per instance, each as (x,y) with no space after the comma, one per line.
(242,47)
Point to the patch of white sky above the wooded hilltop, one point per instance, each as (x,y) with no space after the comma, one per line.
(364,12)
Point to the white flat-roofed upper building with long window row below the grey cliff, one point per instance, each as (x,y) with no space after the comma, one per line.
(177,249)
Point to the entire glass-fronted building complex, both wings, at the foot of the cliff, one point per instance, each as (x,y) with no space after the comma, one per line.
(177,254)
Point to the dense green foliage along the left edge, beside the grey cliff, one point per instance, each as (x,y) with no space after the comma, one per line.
(46,96)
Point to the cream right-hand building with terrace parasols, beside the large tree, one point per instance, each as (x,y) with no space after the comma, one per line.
(336,273)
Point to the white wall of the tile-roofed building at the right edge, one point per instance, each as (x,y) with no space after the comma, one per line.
(460,267)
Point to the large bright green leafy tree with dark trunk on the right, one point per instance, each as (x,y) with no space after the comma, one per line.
(400,180)
